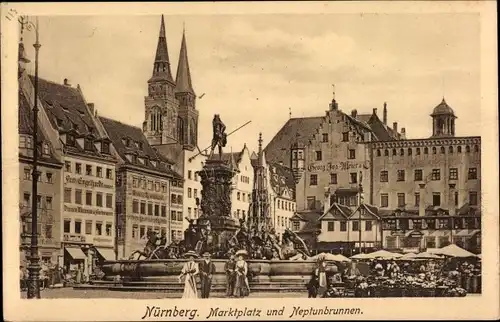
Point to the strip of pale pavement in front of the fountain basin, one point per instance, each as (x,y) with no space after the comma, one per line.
(70,293)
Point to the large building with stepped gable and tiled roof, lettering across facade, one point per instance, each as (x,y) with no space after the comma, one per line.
(328,152)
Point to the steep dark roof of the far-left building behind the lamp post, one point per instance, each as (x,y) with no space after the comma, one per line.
(25,123)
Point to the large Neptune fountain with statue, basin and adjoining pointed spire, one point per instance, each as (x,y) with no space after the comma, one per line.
(271,267)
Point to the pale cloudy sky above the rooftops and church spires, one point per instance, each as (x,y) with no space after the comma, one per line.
(260,67)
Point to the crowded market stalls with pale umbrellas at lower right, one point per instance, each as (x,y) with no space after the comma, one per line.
(446,272)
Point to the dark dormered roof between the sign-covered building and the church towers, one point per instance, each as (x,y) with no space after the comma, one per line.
(121,134)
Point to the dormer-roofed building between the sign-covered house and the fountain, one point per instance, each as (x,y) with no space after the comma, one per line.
(146,199)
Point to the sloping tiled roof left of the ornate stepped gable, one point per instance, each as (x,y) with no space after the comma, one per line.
(278,150)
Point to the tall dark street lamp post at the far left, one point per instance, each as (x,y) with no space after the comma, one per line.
(34,266)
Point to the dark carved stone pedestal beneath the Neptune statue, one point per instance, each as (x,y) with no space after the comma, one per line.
(216,180)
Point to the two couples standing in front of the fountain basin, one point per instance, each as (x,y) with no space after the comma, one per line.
(236,275)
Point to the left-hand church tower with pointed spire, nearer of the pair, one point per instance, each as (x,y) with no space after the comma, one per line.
(161,106)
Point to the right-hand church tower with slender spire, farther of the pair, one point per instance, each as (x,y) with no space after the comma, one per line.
(187,119)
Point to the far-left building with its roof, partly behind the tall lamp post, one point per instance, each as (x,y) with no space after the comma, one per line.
(50,180)
